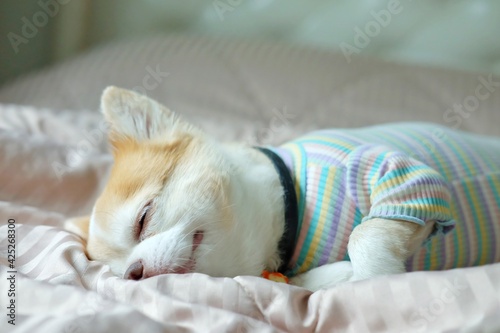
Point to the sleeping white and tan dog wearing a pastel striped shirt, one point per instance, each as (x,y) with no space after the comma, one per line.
(329,207)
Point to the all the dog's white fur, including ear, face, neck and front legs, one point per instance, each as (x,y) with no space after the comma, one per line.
(184,204)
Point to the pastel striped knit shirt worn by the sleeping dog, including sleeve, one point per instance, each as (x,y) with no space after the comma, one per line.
(411,172)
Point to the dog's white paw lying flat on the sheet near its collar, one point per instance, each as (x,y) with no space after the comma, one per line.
(325,276)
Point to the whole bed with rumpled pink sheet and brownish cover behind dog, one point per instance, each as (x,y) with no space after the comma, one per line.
(54,160)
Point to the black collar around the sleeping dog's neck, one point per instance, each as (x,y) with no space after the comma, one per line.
(287,242)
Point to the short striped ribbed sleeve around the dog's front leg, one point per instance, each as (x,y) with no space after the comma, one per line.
(392,185)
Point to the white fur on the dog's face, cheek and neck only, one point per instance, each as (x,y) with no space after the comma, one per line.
(182,208)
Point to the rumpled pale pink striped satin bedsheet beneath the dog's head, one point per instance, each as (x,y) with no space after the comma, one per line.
(59,290)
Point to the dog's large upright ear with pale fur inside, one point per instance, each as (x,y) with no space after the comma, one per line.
(135,116)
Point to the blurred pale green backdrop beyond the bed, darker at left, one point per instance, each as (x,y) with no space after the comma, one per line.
(460,34)
